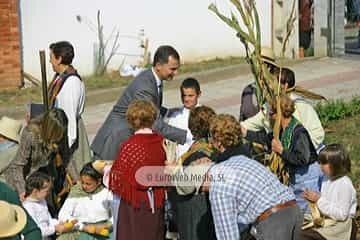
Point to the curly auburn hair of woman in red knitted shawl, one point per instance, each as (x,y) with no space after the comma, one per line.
(141,114)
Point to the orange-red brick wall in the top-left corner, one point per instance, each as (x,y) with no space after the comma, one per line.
(10,59)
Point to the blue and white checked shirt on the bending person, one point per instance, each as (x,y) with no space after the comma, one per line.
(240,191)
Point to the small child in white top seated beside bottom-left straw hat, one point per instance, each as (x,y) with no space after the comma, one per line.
(37,187)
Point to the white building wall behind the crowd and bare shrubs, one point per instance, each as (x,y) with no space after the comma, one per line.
(188,25)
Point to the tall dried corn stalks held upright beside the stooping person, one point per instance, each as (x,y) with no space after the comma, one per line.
(268,87)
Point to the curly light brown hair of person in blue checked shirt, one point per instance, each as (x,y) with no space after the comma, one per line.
(224,128)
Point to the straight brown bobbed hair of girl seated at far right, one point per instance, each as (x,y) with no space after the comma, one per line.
(337,157)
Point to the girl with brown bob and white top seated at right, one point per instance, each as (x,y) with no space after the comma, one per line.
(337,199)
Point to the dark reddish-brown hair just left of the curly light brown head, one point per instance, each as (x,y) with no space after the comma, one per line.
(199,121)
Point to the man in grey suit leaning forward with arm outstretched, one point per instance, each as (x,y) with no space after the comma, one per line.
(147,86)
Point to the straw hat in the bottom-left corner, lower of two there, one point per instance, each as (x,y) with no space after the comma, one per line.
(12,219)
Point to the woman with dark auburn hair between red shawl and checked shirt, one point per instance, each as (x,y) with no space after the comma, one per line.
(194,215)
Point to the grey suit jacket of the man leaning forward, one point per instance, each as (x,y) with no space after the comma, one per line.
(116,130)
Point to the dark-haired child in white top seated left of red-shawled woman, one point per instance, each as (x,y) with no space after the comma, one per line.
(89,203)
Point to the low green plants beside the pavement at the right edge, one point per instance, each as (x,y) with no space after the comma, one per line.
(339,109)
